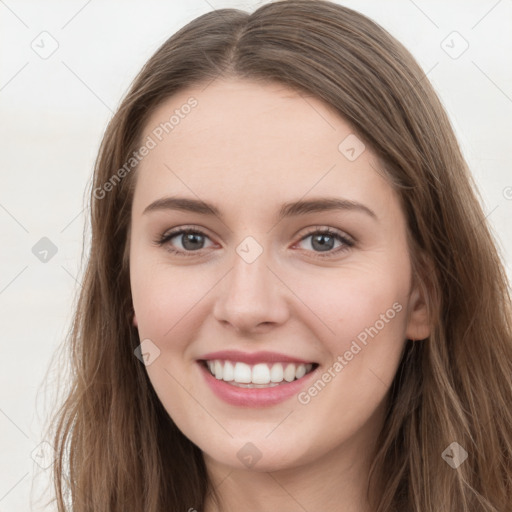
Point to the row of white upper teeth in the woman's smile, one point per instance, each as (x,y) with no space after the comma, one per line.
(259,374)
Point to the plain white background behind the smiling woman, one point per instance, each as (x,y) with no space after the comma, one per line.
(54,112)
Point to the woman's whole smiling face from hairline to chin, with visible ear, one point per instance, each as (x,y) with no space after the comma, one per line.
(259,281)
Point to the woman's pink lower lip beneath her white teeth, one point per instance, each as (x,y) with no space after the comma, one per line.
(254,397)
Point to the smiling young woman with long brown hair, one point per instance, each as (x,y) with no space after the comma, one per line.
(292,299)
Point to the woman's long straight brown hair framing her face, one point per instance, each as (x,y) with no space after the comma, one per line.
(118,449)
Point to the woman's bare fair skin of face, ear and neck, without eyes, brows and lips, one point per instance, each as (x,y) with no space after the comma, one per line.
(248,148)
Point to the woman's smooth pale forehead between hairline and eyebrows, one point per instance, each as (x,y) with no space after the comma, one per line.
(253,143)
